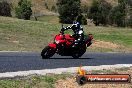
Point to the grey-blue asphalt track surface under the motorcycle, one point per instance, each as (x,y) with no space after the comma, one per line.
(24,61)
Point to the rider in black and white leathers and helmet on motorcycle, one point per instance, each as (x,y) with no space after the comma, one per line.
(78,33)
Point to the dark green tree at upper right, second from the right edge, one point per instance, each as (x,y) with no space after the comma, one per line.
(99,12)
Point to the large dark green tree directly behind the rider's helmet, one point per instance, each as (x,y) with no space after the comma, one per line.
(68,10)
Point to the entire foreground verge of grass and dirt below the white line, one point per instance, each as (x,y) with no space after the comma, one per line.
(63,80)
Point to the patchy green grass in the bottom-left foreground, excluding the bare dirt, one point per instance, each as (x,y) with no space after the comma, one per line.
(36,81)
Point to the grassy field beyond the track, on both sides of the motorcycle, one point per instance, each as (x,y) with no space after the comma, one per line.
(21,35)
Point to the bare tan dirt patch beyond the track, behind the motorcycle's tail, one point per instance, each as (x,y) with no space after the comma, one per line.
(103,46)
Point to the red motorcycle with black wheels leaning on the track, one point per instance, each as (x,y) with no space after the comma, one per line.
(63,43)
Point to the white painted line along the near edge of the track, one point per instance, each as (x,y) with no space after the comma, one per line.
(60,70)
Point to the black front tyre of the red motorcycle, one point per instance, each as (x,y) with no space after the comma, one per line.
(47,52)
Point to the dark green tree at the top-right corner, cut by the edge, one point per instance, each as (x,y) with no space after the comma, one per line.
(121,14)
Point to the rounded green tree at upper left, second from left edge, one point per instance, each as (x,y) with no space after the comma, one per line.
(24,11)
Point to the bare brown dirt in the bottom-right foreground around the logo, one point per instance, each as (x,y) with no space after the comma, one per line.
(71,82)
